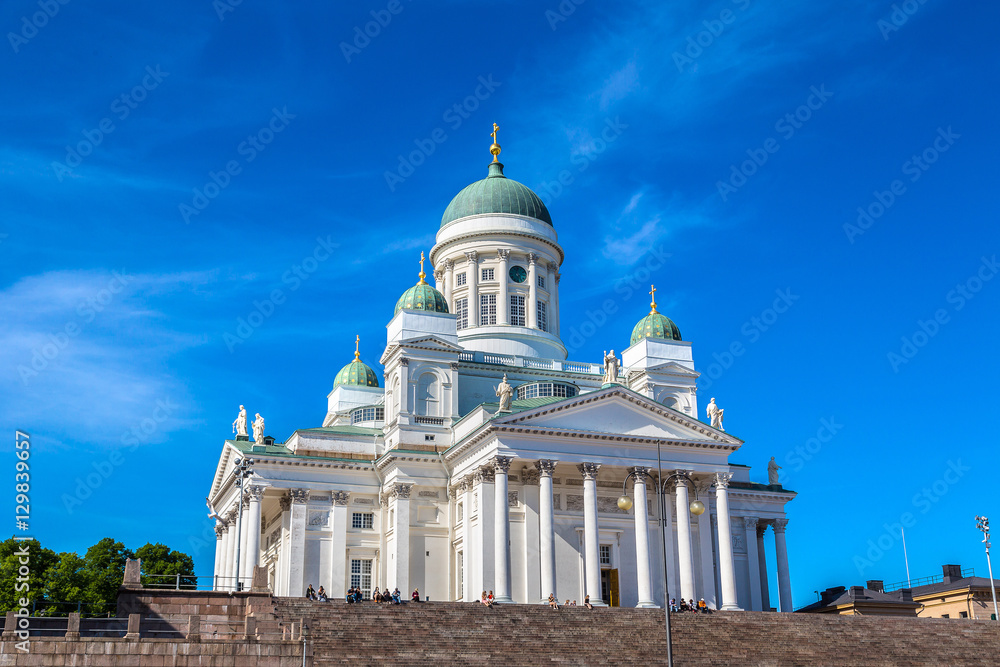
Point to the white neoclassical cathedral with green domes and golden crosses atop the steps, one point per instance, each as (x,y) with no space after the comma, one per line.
(429,481)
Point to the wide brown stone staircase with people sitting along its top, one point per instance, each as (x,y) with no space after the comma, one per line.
(455,633)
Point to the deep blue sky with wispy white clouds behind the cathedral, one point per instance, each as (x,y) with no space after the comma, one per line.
(739,138)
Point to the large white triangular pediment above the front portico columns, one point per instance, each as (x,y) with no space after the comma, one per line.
(617,411)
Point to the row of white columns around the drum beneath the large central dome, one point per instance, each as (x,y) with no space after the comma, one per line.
(446,284)
